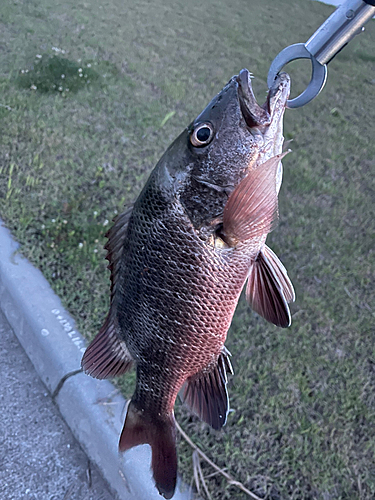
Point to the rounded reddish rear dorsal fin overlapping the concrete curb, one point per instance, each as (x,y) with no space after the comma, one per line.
(106,356)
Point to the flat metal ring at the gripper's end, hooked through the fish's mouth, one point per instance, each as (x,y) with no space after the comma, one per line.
(318,77)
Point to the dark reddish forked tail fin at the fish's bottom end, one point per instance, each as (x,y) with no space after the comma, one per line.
(160,434)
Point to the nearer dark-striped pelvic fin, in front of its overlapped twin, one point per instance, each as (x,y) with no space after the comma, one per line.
(265,294)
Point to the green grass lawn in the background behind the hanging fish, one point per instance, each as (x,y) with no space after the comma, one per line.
(303,399)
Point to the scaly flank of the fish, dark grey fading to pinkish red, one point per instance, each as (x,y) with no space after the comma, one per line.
(203,294)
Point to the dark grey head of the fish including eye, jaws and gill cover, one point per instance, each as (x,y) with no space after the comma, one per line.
(231,136)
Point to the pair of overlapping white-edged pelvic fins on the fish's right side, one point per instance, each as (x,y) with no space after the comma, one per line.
(269,289)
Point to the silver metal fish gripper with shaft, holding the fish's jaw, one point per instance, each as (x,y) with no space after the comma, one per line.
(346,22)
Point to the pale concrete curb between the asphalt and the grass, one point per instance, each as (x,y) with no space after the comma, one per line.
(93,409)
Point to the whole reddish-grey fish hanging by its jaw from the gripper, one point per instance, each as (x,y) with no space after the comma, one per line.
(179,258)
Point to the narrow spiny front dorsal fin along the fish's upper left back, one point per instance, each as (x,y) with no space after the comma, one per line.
(116,237)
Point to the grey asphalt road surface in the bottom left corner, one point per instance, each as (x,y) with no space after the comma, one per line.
(39,457)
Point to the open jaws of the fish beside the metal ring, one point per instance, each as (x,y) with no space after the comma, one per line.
(261,117)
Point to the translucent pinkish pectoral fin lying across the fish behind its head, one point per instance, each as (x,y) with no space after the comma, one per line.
(251,209)
